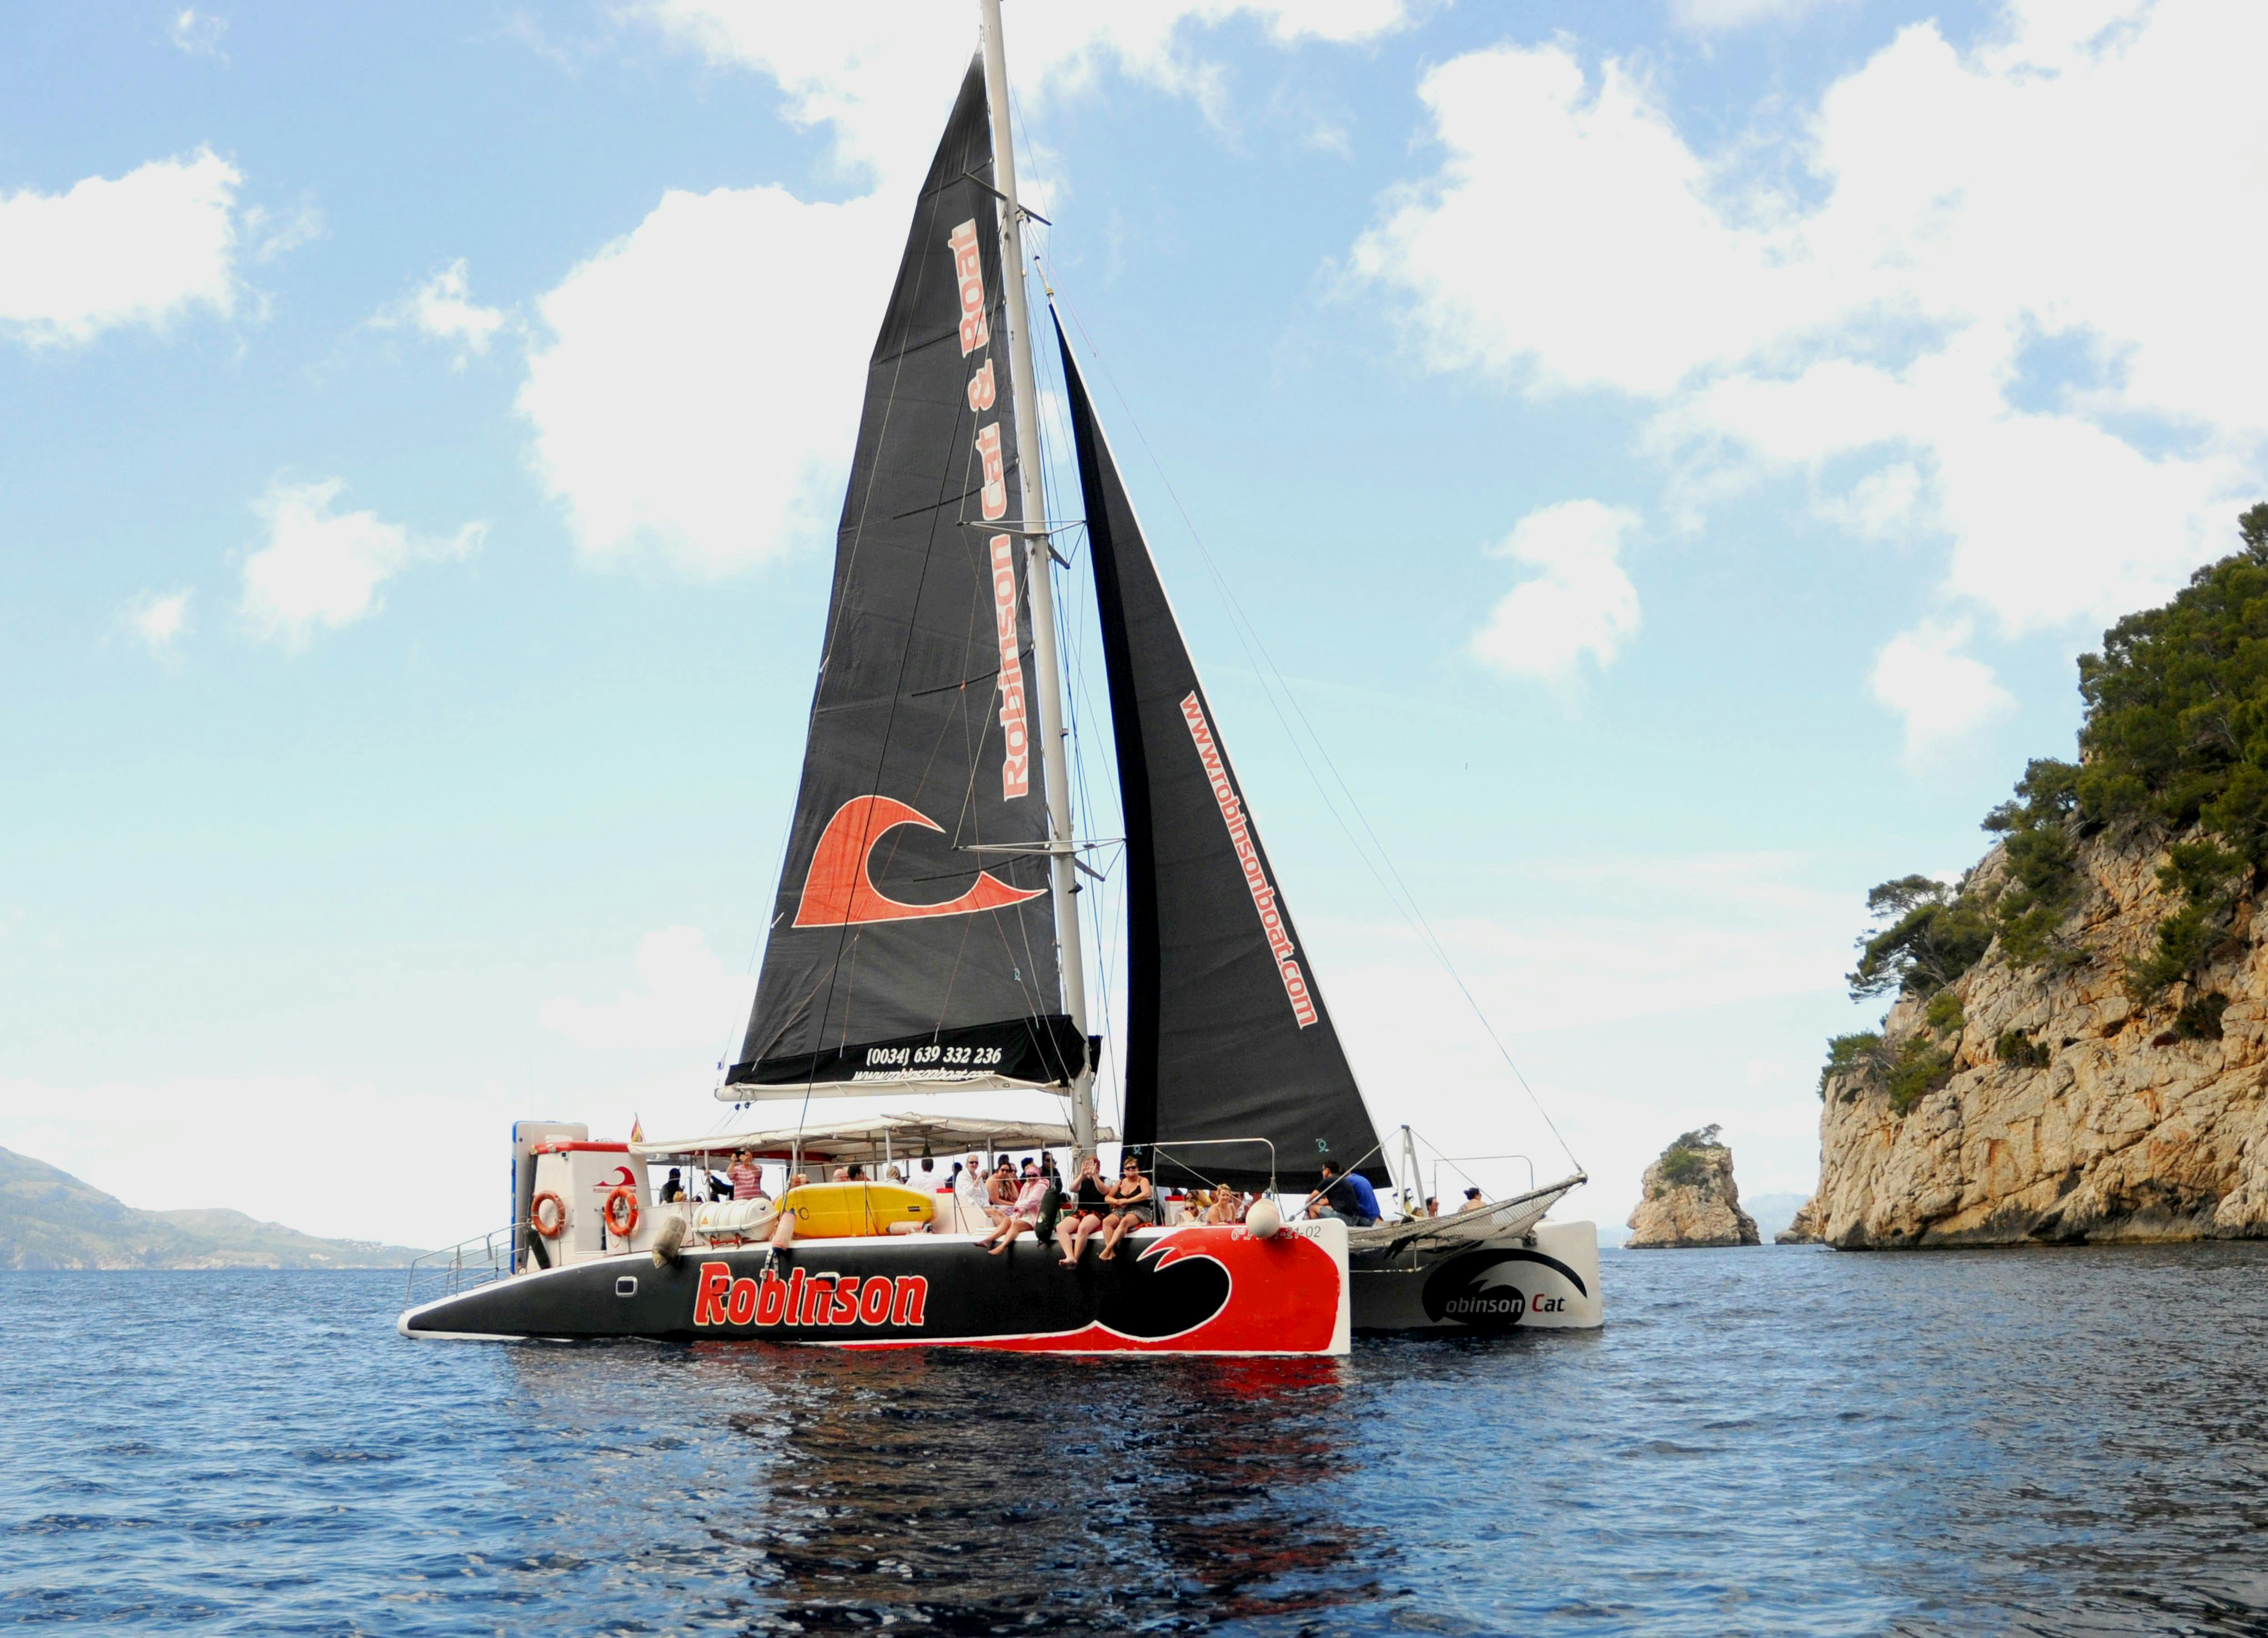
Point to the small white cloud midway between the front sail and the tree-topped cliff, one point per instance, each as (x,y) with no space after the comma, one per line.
(1580,605)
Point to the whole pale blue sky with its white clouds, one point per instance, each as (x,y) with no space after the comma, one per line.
(1634,478)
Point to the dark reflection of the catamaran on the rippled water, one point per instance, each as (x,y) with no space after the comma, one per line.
(974,1492)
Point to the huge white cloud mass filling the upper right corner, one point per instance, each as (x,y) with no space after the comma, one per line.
(1952,212)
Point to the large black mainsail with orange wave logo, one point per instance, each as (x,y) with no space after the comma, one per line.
(913,938)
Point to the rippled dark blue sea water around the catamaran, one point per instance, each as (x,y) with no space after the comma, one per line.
(1761,1442)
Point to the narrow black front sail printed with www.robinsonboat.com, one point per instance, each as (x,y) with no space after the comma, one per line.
(1228,1036)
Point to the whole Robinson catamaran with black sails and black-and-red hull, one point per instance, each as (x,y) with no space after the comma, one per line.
(926,938)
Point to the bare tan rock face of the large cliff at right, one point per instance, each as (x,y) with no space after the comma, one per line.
(2042,1101)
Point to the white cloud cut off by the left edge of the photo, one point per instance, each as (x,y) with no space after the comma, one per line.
(133,251)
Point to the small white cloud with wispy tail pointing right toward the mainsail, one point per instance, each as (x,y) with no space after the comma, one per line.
(323,568)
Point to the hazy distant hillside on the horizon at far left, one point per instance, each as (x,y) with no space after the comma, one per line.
(49,1219)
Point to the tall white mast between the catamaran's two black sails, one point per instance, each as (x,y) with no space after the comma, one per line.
(1056,745)
